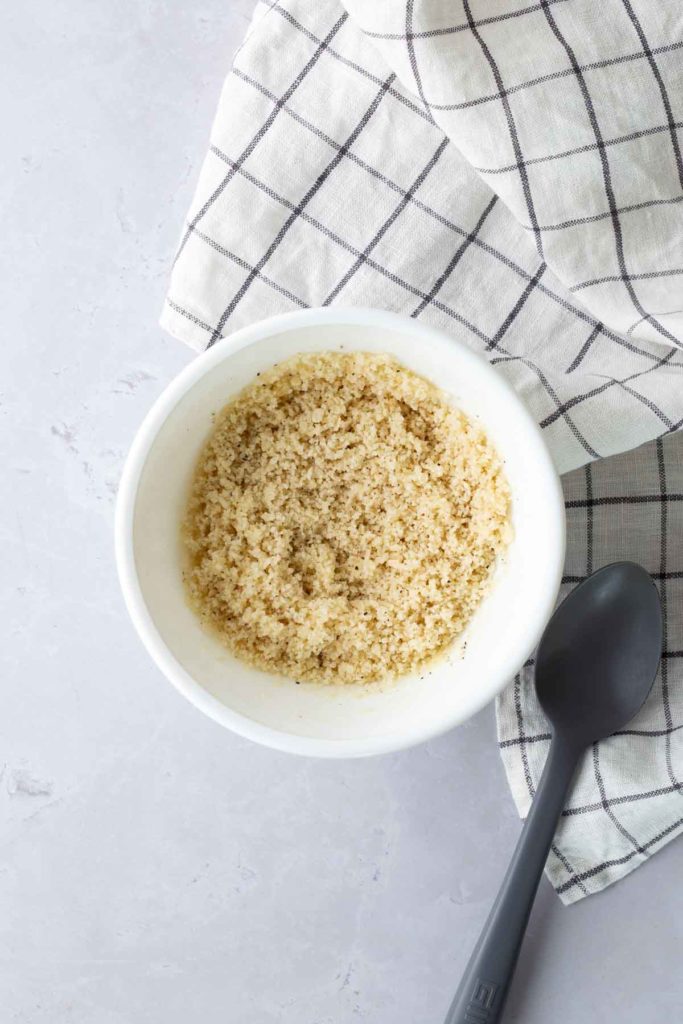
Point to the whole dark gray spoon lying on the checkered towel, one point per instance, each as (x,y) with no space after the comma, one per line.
(594,669)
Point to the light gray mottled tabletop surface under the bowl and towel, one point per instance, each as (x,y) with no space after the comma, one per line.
(154,868)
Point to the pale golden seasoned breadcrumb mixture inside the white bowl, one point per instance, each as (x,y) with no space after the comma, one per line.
(345,521)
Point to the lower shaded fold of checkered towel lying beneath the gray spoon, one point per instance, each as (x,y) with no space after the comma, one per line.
(628,798)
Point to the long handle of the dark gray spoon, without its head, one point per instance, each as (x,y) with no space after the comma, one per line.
(483,992)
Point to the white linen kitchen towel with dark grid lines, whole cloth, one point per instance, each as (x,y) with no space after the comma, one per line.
(511,173)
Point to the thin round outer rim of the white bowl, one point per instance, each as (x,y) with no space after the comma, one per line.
(144,441)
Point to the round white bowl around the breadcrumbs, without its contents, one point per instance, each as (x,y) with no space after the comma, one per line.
(335,721)
